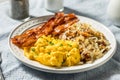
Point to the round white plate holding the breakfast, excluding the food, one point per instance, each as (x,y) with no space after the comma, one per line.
(18,53)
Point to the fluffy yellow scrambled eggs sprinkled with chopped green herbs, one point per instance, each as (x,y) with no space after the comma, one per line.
(54,52)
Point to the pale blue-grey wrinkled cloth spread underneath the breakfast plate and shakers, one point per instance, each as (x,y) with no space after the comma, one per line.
(15,70)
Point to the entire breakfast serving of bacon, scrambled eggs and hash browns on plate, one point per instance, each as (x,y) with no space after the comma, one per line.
(63,35)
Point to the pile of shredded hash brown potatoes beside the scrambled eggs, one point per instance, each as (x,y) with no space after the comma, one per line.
(92,43)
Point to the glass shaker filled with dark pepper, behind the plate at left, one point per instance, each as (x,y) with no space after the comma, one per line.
(19,9)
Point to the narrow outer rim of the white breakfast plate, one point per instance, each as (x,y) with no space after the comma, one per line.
(61,71)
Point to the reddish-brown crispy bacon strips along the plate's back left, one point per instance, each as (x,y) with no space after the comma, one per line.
(54,26)
